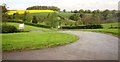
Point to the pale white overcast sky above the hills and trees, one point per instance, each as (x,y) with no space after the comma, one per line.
(63,4)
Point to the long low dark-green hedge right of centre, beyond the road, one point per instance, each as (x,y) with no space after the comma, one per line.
(83,27)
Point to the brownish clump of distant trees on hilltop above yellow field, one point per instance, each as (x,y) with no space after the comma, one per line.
(43,8)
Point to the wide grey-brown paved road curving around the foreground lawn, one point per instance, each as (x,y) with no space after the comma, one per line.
(90,46)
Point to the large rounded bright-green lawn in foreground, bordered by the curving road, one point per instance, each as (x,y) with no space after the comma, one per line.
(23,41)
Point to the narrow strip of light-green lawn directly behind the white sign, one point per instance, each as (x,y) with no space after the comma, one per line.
(28,27)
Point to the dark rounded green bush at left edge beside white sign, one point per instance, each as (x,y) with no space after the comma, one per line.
(9,29)
